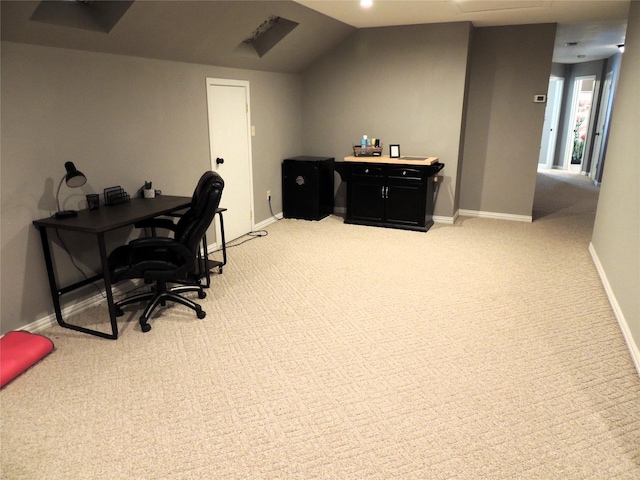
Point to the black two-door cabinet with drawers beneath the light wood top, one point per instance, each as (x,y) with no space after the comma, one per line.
(390,195)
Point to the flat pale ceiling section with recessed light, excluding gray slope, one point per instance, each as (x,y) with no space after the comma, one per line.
(597,26)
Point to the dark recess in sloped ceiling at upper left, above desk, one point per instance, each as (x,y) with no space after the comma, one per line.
(97,16)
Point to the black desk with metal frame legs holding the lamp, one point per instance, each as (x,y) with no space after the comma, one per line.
(98,222)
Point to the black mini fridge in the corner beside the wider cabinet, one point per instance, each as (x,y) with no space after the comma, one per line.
(307,187)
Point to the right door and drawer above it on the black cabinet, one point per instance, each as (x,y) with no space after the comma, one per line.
(405,197)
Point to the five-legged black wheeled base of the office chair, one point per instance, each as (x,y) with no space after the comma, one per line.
(160,297)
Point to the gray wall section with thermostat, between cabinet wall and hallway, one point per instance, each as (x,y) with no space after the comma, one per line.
(509,65)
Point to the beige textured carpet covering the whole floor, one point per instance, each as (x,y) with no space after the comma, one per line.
(486,349)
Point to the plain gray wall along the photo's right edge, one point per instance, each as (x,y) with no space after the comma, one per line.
(616,233)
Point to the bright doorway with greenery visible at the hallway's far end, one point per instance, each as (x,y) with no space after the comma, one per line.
(579,122)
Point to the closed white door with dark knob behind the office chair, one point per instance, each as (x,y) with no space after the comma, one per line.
(230,149)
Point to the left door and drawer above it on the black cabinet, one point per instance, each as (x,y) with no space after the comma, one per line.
(365,194)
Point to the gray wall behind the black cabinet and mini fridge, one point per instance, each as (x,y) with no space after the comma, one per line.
(404,85)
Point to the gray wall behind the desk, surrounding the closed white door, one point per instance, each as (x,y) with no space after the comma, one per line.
(121,120)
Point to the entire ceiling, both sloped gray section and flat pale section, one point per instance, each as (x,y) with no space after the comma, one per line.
(287,36)
